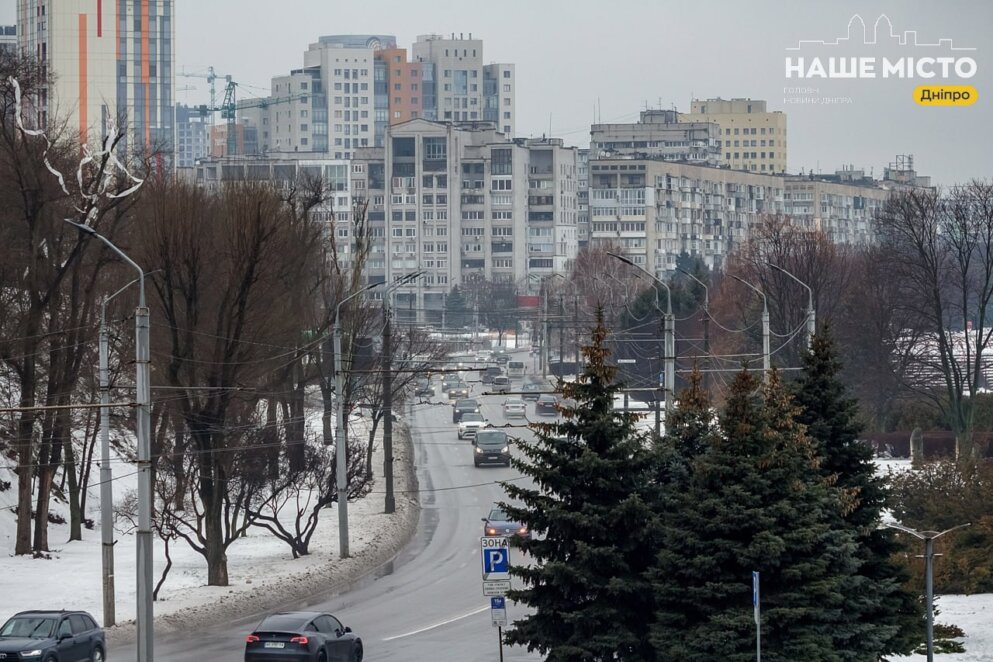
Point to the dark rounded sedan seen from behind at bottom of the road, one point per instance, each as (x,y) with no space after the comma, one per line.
(302,635)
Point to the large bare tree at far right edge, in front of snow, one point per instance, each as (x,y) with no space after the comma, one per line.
(939,247)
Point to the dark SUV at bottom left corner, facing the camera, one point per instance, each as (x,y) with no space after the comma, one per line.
(47,636)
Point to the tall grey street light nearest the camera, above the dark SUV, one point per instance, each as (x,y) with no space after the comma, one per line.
(143,537)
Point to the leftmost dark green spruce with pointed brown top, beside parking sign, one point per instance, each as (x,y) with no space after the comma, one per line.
(586,582)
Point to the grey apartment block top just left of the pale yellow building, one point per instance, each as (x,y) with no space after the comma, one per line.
(658,134)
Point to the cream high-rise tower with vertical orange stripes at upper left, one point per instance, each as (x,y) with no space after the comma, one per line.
(113,62)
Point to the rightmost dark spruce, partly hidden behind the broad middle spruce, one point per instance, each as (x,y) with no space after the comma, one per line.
(884,617)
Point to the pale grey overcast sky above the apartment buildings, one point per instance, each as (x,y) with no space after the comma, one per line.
(573,56)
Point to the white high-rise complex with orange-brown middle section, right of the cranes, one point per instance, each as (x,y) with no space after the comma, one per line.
(353,87)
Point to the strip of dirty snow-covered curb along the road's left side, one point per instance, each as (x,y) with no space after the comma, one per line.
(334,577)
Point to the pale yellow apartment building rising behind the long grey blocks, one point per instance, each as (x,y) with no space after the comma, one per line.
(752,138)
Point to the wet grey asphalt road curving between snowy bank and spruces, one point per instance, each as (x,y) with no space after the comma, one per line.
(428,603)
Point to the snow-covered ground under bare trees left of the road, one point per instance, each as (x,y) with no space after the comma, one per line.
(261,569)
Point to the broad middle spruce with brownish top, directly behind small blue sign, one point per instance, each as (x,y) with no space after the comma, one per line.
(751,498)
